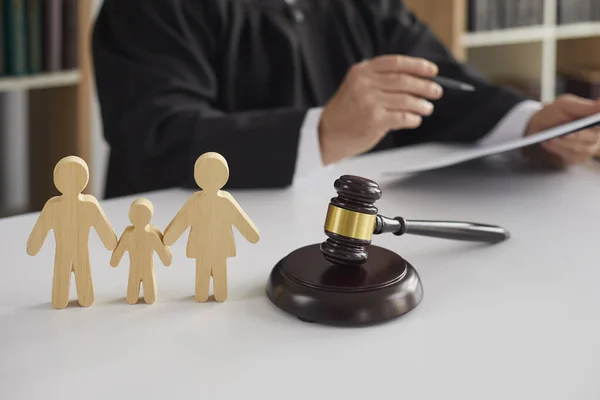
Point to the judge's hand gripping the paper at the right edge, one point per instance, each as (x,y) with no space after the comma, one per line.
(570,149)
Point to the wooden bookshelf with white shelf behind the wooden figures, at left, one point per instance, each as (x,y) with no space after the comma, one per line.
(59,107)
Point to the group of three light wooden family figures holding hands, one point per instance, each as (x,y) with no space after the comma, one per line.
(209,214)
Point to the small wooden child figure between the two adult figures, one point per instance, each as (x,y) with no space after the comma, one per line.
(141,240)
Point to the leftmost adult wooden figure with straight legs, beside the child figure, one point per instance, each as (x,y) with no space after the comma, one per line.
(71,215)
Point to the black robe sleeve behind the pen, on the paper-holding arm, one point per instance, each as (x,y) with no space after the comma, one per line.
(457,116)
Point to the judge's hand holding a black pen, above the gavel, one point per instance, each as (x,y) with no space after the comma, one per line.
(377,96)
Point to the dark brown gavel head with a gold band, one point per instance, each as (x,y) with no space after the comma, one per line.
(350,221)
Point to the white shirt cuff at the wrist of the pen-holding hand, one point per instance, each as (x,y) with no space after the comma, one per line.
(309,158)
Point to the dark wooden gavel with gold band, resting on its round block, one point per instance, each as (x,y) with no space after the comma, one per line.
(352,220)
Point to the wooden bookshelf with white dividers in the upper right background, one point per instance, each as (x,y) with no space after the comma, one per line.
(537,54)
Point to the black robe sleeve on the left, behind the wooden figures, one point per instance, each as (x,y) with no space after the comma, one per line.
(156,70)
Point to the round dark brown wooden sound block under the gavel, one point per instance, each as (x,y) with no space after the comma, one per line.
(313,289)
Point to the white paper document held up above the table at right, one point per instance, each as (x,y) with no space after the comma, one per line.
(430,156)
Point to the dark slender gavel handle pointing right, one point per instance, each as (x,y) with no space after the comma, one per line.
(455,230)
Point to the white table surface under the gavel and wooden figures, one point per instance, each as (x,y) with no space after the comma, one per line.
(519,320)
